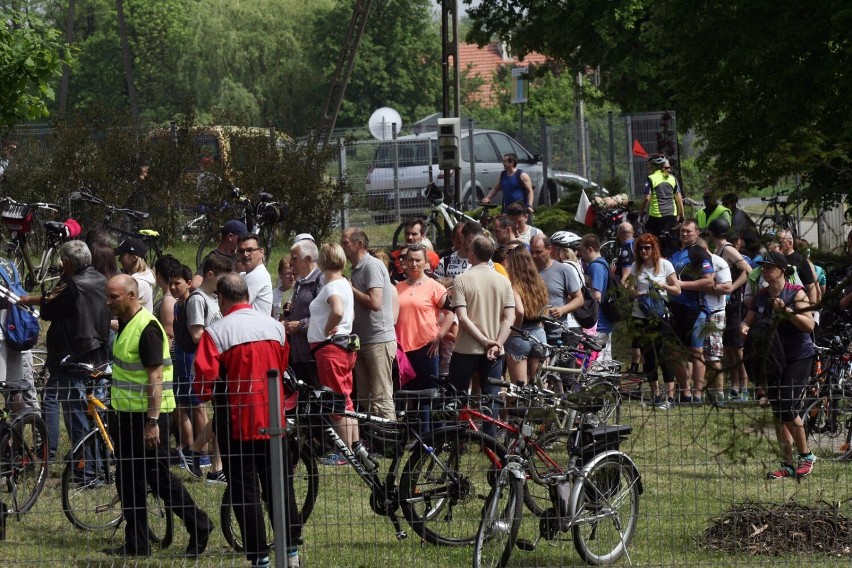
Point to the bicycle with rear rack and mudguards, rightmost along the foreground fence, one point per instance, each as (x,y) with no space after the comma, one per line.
(598,485)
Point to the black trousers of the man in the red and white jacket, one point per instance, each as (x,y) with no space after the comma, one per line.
(248,469)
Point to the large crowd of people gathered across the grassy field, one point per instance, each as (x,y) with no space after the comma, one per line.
(699,301)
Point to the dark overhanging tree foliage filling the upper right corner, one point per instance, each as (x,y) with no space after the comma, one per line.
(765,84)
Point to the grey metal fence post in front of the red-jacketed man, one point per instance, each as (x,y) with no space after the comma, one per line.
(276,433)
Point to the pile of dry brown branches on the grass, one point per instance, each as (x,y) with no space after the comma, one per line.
(773,530)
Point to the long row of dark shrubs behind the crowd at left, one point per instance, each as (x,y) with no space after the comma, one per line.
(92,152)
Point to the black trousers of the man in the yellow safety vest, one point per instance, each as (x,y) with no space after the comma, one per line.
(139,468)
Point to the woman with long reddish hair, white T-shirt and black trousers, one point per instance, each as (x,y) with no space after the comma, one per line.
(651,279)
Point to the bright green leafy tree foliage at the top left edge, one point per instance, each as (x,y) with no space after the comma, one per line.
(31,57)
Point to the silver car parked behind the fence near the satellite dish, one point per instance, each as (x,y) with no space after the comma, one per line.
(418,153)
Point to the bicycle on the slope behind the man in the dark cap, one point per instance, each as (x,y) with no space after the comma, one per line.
(261,219)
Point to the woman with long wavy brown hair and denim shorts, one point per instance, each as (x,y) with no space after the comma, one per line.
(522,356)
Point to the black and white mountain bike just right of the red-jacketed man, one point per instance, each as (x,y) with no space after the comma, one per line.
(440,489)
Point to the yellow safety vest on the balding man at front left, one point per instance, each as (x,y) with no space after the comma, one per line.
(129,378)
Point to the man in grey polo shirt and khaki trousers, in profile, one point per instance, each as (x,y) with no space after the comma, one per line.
(373,323)
